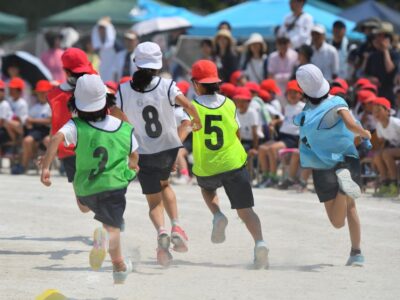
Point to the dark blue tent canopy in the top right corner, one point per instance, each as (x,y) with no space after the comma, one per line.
(370,8)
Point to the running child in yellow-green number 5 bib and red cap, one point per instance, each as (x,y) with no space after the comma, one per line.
(220,159)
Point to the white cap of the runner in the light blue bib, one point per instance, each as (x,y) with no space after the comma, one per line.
(312,81)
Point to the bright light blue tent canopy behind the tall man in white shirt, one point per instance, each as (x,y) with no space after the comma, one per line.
(263,16)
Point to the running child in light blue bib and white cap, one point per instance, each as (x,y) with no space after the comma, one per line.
(327,132)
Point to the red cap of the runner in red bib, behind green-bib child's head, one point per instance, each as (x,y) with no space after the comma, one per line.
(76,61)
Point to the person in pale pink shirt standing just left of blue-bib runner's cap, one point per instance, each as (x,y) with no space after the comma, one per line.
(282,62)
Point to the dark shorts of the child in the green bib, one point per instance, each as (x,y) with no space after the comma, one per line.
(108,207)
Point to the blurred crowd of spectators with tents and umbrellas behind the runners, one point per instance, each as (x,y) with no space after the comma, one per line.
(257,46)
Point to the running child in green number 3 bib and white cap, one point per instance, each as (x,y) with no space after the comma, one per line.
(102,147)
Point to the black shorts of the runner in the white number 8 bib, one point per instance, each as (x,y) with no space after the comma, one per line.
(155,168)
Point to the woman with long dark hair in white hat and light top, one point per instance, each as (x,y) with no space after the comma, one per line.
(255,59)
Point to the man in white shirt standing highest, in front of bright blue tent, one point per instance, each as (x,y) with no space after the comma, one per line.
(297,25)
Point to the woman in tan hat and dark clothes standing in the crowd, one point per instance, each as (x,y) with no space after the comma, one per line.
(225,56)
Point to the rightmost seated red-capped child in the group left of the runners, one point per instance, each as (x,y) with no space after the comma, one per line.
(37,127)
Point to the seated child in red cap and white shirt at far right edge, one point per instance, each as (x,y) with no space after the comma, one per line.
(388,128)
